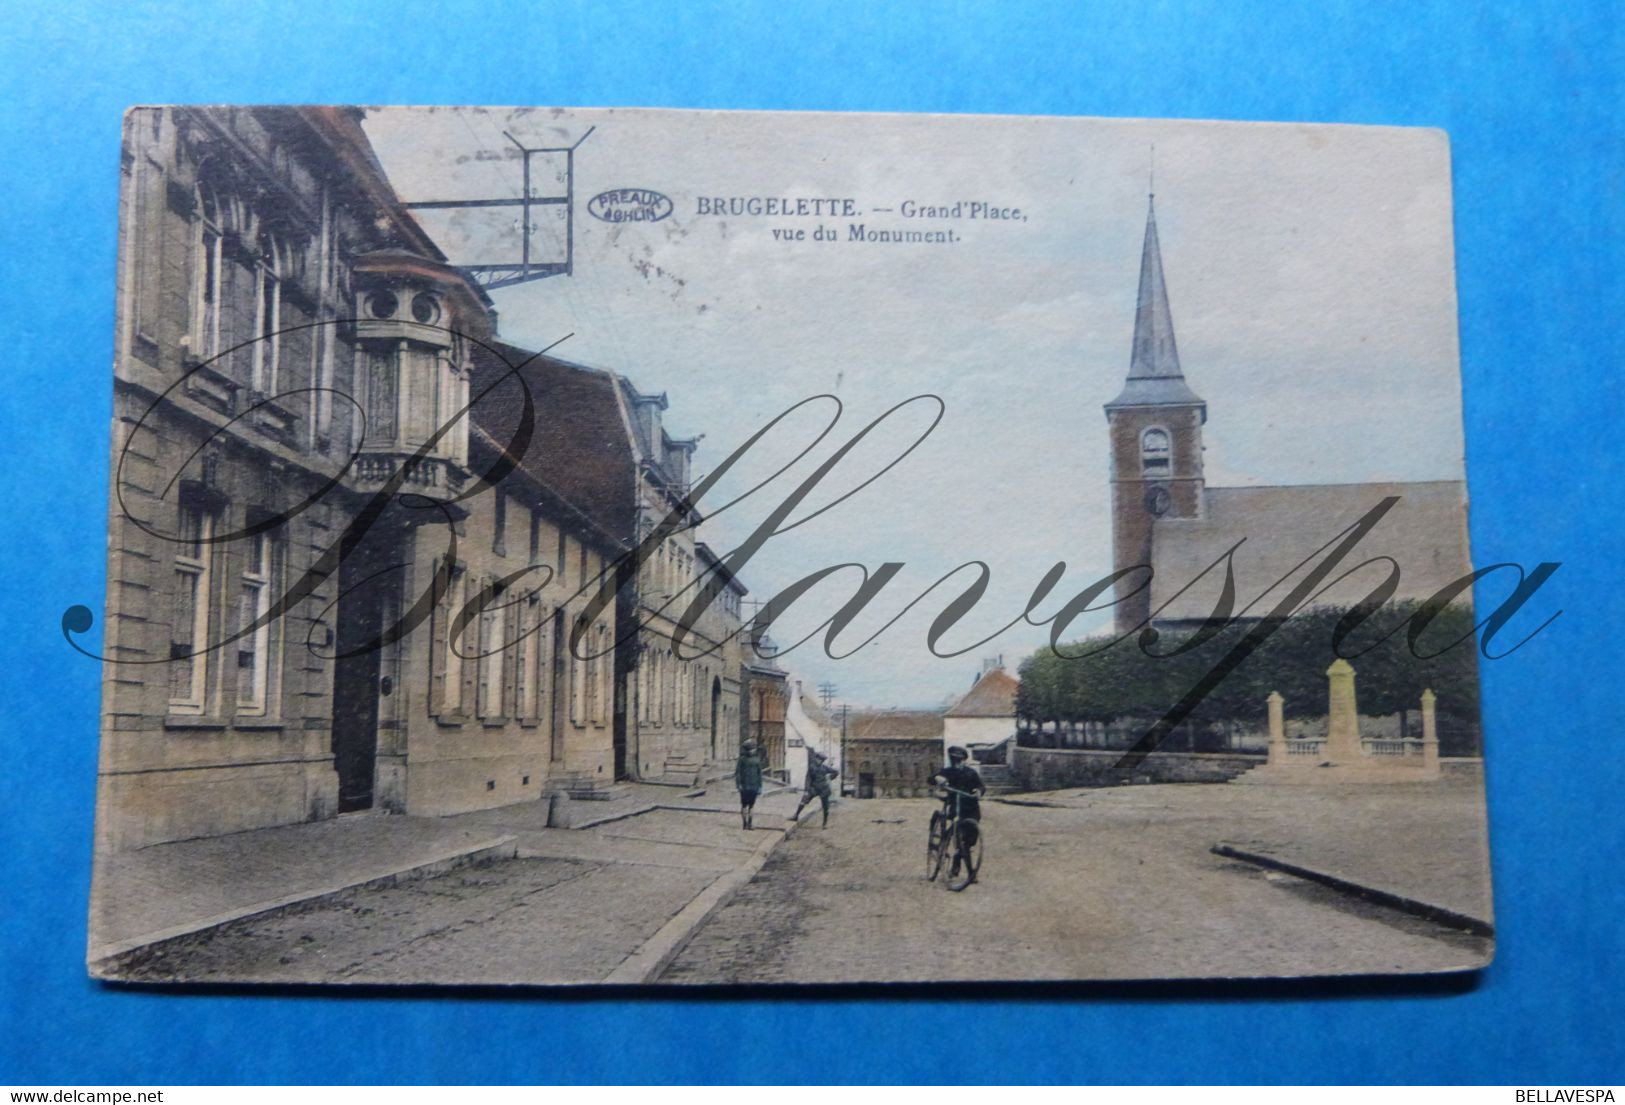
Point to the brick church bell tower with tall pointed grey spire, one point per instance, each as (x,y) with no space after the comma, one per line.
(1156,431)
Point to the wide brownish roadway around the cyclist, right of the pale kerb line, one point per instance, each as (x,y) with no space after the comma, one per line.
(1107,885)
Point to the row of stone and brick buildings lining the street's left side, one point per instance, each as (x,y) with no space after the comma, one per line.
(344,573)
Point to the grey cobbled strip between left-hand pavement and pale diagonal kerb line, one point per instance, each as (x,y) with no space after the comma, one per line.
(571,909)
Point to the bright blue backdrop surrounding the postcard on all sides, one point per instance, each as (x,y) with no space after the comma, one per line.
(1532,100)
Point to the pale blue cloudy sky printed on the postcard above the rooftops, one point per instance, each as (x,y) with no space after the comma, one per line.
(1311,277)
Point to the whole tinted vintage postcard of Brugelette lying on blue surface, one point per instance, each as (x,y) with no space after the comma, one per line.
(654,547)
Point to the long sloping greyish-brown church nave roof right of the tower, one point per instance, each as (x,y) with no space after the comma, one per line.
(1426,534)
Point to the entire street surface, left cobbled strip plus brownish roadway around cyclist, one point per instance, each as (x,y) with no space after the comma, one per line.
(1103,885)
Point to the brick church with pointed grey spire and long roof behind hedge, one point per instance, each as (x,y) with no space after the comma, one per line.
(1169,519)
